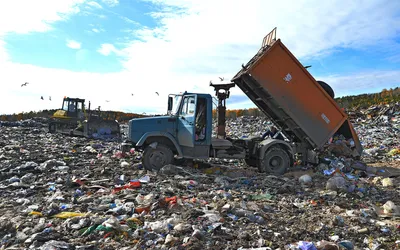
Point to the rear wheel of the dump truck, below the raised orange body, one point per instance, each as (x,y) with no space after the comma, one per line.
(276,161)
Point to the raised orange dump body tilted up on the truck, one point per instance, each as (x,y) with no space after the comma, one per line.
(289,95)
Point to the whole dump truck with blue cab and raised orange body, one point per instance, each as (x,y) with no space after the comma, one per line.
(302,108)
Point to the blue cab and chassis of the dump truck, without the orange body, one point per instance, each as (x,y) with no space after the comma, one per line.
(186,132)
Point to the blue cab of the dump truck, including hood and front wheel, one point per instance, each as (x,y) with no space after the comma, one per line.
(184,132)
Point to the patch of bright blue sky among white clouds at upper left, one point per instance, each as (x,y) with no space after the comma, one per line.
(96,24)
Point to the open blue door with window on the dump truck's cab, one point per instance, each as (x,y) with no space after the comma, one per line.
(186,121)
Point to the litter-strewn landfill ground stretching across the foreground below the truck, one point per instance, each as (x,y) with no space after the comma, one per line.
(60,192)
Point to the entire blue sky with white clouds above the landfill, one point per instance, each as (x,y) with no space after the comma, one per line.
(109,49)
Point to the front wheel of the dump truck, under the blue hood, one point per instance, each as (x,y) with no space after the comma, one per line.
(156,158)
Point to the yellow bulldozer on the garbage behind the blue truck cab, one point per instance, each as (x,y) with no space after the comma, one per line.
(73,119)
